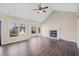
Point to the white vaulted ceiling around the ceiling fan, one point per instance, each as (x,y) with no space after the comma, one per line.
(25,10)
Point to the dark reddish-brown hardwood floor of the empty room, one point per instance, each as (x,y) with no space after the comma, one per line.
(40,46)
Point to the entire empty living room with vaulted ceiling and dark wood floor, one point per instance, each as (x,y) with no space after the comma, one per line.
(39,29)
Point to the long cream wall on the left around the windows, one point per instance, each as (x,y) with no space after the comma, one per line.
(6,39)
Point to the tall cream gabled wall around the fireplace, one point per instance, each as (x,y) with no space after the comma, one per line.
(64,20)
